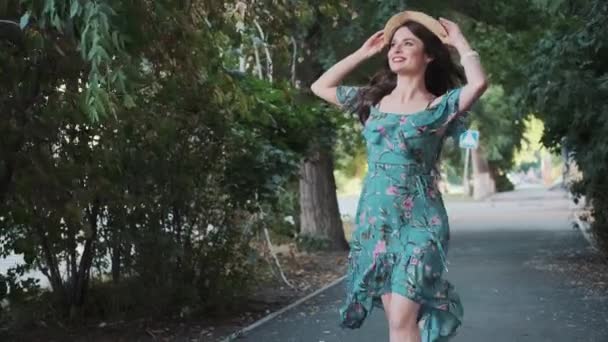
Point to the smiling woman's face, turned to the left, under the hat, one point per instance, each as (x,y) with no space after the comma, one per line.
(406,54)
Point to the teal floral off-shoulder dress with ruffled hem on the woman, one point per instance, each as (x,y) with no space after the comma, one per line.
(401,234)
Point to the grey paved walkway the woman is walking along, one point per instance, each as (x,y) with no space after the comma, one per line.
(505,298)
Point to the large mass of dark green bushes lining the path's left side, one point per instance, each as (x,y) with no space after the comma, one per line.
(159,200)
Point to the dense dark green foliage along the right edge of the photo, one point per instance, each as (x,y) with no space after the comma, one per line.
(568,87)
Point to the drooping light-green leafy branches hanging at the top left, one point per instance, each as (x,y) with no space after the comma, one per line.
(82,32)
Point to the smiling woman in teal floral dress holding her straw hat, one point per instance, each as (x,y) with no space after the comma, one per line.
(398,249)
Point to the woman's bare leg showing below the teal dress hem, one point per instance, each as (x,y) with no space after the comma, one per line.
(402,323)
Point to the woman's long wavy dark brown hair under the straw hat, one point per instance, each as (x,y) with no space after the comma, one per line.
(441,74)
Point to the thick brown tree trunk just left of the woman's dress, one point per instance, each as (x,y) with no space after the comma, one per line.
(319,212)
